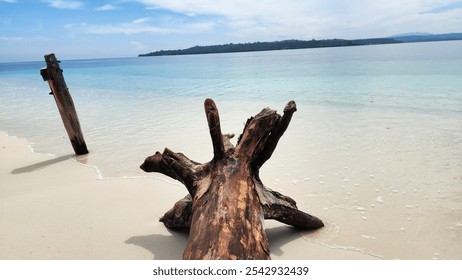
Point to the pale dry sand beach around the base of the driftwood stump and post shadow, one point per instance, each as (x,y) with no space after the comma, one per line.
(53,209)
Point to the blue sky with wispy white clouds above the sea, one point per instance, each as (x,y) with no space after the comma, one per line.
(77,29)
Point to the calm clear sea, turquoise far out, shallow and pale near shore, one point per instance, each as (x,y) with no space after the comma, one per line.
(375,125)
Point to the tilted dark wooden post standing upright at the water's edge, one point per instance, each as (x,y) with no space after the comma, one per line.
(54,76)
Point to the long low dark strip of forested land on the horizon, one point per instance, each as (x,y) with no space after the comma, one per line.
(300,44)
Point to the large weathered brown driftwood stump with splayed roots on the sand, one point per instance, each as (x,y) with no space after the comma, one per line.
(227,201)
